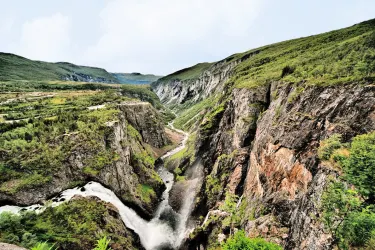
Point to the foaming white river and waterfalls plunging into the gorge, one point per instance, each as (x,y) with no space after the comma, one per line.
(166,230)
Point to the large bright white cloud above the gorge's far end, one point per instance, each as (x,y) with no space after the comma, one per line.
(152,36)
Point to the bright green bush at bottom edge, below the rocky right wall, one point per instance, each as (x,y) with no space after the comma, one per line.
(240,242)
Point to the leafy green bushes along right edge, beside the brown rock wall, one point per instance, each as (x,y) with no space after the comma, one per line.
(349,211)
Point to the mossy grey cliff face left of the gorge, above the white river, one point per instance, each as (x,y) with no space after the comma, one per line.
(126,170)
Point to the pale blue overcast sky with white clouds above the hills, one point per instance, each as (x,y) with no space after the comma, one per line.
(162,36)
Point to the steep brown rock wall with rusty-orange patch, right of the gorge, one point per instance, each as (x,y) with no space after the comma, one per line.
(263,148)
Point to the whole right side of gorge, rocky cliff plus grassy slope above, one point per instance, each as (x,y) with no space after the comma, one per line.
(258,139)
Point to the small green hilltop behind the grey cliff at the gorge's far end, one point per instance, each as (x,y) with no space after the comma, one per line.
(191,73)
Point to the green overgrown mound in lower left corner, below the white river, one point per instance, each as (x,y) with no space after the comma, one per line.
(73,225)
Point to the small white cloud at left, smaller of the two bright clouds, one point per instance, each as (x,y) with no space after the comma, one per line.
(46,38)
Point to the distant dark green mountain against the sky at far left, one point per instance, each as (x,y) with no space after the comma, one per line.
(13,67)
